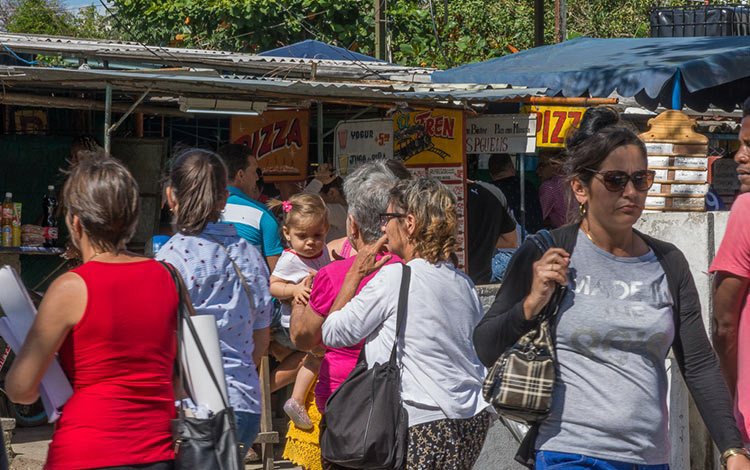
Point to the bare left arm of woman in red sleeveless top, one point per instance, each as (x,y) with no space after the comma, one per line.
(62,307)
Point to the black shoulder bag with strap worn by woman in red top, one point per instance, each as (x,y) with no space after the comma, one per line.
(201,442)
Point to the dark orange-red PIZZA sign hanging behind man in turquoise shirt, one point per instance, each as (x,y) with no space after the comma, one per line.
(278,140)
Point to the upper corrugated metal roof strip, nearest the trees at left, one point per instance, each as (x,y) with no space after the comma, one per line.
(252,64)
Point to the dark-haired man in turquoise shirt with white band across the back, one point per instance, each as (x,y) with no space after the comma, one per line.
(254,222)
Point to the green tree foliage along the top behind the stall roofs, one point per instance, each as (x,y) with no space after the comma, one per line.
(436,33)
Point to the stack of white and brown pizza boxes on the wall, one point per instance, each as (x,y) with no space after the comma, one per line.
(678,154)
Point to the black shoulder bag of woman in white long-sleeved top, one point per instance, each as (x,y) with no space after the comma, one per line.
(365,425)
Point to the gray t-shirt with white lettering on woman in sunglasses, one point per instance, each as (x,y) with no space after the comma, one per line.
(613,333)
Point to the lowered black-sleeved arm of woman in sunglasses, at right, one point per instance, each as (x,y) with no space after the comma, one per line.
(699,364)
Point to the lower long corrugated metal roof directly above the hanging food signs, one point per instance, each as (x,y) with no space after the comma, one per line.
(243,87)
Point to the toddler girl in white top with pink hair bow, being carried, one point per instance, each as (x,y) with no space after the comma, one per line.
(304,227)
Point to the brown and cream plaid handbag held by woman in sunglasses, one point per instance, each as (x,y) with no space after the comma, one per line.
(519,385)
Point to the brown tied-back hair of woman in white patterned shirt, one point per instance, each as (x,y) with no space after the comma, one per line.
(198,179)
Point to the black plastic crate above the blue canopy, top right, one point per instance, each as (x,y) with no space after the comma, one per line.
(732,20)
